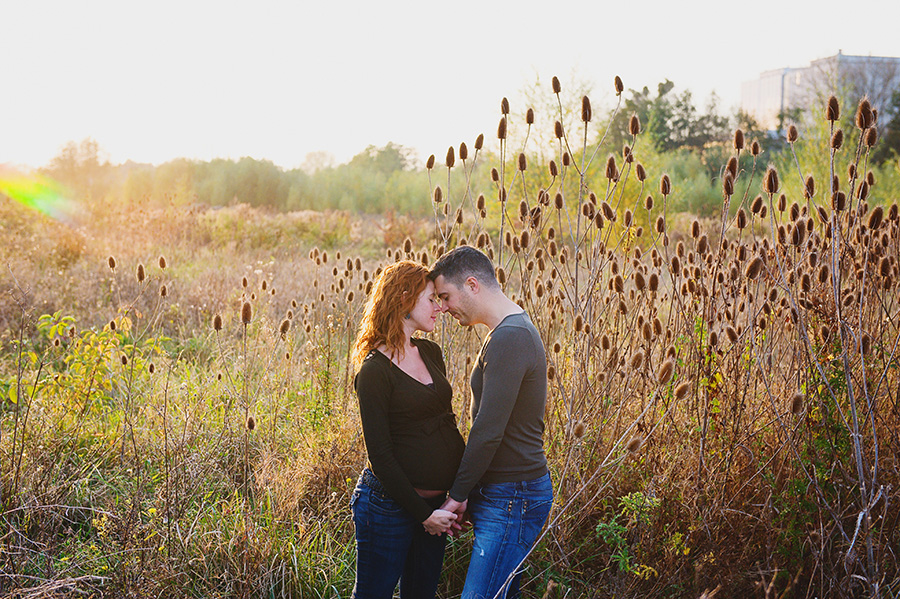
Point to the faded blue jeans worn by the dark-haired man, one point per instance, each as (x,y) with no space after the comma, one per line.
(507,519)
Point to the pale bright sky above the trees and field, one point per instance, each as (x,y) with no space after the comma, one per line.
(281,80)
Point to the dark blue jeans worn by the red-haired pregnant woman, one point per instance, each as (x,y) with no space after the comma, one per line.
(392,546)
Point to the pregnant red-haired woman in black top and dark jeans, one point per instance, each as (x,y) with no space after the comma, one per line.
(414,447)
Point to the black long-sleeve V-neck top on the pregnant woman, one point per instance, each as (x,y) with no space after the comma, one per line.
(409,427)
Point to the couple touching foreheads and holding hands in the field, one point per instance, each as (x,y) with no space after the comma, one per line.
(401,504)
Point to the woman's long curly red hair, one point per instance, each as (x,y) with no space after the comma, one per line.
(393,296)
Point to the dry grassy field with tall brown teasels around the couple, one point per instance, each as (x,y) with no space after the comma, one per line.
(724,413)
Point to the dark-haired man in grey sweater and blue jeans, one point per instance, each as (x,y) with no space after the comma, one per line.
(503,480)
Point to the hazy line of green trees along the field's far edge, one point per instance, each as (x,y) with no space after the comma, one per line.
(689,142)
